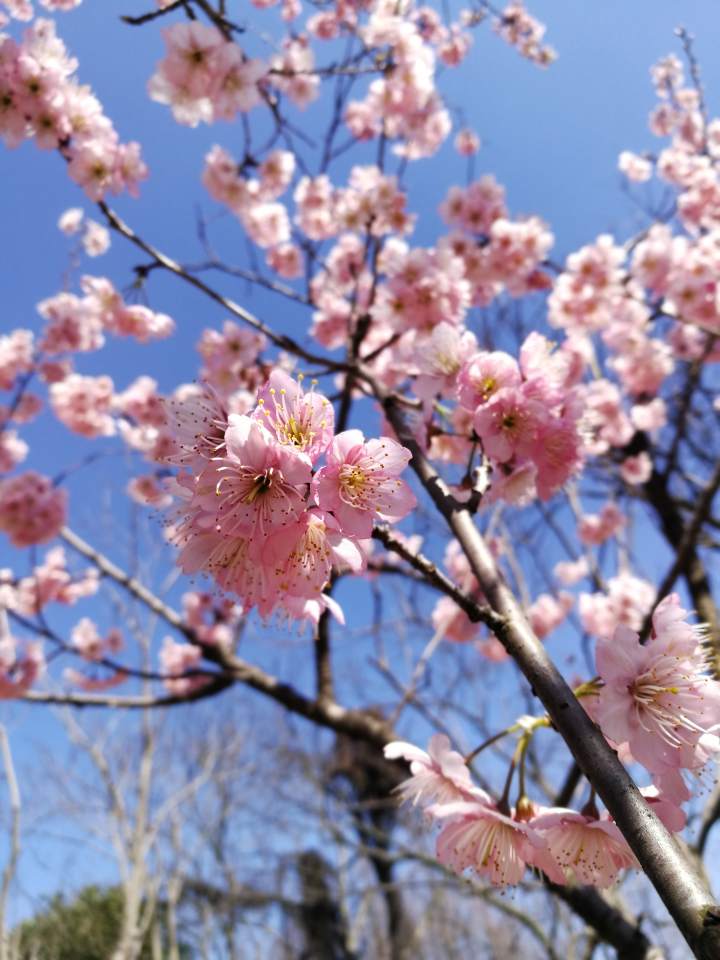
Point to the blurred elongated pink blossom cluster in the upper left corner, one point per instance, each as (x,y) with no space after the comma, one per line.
(41,99)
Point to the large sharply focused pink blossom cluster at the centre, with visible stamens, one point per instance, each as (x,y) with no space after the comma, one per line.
(259,515)
